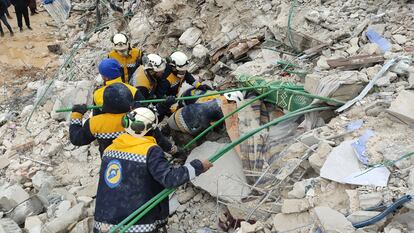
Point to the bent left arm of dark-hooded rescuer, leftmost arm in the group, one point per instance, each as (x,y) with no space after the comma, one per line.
(79,135)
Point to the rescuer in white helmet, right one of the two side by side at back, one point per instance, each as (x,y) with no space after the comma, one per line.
(176,72)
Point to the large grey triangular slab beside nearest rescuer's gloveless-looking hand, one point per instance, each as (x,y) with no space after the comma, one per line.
(226,178)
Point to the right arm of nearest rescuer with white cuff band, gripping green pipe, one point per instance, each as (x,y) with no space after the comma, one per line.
(167,175)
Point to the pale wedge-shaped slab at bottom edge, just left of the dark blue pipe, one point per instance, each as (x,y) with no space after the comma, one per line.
(332,221)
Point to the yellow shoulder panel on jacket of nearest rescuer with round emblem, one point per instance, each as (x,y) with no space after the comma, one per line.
(126,143)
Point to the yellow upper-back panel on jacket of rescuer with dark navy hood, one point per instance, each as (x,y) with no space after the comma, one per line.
(106,126)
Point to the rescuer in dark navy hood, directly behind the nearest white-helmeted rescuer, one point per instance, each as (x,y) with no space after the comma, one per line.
(107,126)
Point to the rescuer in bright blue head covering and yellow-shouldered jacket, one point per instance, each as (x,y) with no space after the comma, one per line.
(109,69)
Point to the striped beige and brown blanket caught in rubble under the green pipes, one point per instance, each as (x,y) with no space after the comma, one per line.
(259,151)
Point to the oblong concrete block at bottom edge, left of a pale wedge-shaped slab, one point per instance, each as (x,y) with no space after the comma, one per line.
(291,222)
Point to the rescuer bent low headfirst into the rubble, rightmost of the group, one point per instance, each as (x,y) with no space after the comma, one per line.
(197,115)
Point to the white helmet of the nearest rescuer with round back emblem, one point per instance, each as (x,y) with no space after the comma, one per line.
(139,122)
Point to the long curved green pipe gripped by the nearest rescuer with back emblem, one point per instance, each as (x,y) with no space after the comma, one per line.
(144,209)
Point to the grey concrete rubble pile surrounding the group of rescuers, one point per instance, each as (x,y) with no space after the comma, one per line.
(337,169)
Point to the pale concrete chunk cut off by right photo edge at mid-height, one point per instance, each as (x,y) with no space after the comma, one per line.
(402,108)
